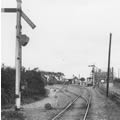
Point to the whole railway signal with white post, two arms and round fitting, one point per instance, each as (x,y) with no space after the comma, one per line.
(21,40)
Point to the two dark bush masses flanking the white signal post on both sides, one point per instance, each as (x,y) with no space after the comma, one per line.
(31,79)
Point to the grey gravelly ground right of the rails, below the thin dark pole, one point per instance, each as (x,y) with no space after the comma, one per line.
(103,108)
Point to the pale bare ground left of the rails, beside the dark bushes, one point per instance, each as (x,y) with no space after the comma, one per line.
(36,111)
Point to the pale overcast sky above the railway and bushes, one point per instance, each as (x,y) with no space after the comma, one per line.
(70,35)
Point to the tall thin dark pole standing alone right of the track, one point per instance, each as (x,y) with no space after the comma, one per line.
(108,71)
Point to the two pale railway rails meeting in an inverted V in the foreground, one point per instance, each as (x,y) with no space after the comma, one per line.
(88,102)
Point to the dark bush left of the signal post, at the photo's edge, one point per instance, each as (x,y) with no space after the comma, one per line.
(7,85)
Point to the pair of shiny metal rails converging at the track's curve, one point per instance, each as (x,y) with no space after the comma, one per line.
(70,104)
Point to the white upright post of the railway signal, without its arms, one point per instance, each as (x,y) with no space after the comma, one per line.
(18,57)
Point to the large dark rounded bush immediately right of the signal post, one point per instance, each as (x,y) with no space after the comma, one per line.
(34,85)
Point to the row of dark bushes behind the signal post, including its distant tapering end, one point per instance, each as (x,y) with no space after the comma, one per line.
(32,84)
